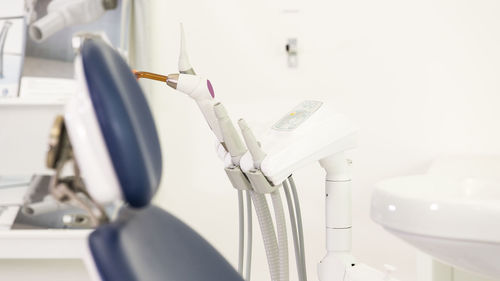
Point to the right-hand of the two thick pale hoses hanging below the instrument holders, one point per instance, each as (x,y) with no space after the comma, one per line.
(282,235)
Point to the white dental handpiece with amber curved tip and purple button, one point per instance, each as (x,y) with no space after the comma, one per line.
(198,88)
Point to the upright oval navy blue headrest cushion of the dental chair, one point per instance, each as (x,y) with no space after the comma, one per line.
(125,121)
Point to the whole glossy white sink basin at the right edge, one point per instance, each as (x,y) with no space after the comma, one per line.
(451,213)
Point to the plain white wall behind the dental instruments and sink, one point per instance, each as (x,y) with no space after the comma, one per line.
(419,77)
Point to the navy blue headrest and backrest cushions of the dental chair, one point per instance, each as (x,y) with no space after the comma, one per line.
(145,243)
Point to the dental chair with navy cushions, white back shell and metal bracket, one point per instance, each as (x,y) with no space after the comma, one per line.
(114,147)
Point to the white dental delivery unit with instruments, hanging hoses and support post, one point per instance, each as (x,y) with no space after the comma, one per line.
(310,132)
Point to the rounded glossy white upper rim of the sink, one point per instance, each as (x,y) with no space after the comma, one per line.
(406,204)
